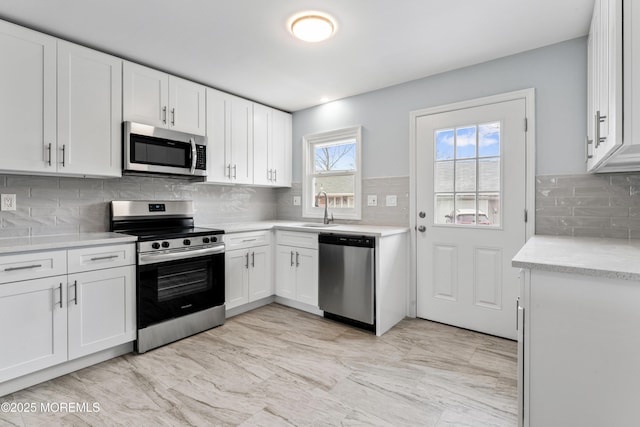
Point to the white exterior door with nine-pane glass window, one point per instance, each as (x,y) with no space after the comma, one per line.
(470,202)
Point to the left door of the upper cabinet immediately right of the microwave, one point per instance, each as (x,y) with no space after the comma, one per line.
(218,136)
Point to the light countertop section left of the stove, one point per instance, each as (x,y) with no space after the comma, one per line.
(65,241)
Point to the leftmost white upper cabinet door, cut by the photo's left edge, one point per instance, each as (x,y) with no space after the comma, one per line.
(28,107)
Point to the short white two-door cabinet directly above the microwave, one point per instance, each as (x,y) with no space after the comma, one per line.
(159,99)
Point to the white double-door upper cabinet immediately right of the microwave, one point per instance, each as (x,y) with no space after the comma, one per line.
(230,138)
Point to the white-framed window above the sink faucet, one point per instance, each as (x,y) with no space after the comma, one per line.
(332,166)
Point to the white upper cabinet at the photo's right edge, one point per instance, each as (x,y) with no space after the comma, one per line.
(613,134)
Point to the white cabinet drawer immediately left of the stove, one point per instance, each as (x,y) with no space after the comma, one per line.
(98,257)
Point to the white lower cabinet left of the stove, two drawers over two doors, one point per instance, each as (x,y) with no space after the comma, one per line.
(52,319)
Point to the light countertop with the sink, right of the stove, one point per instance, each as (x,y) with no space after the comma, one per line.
(374,230)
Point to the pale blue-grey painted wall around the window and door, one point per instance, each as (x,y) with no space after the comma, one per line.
(557,72)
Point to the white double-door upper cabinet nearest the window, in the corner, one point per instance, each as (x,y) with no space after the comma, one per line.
(271,147)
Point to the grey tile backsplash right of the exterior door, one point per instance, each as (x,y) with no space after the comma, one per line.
(591,205)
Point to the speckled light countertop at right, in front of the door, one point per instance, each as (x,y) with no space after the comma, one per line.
(611,258)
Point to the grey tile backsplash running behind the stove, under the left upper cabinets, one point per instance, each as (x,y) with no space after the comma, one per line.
(57,205)
